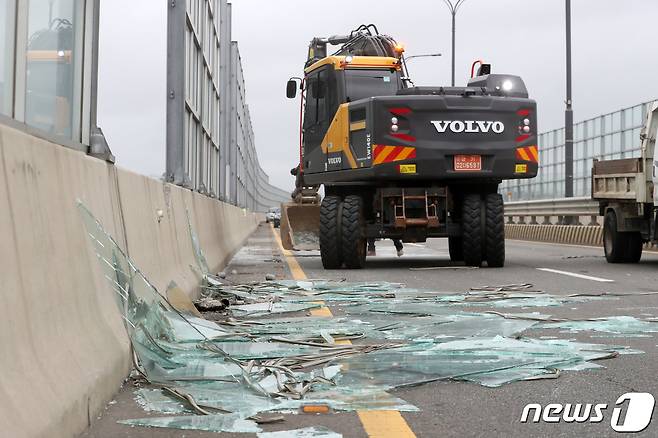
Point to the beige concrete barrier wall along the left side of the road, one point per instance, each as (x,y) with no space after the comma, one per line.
(63,349)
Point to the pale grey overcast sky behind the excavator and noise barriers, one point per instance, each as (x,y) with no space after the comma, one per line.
(614,61)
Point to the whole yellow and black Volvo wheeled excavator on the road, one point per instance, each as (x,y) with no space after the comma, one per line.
(400,161)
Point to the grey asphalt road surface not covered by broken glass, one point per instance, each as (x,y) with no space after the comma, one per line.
(463,409)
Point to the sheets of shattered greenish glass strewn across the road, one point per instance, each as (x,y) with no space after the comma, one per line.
(269,357)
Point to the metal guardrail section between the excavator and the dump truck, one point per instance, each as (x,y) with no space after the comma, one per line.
(565,211)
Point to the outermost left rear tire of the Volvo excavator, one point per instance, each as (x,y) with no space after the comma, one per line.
(330,214)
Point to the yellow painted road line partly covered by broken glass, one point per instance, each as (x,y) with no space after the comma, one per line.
(377,424)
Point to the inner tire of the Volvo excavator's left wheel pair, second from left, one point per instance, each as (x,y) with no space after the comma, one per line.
(353,233)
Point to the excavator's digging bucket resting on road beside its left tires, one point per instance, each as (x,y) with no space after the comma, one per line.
(300,226)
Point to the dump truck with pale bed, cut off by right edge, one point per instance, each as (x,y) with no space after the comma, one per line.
(627,191)
